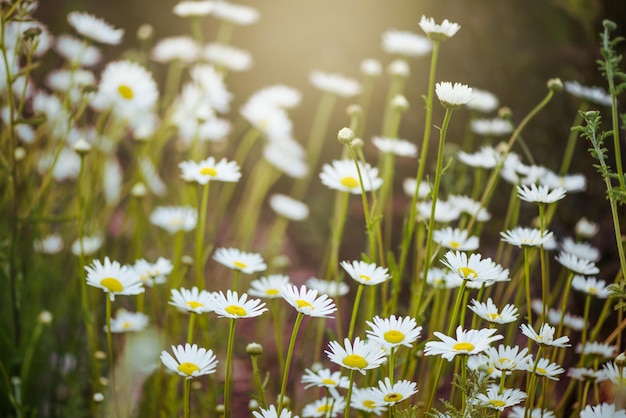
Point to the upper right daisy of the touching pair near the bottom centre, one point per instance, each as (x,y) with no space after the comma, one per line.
(393,332)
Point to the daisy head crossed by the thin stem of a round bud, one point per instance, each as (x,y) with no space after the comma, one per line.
(342,175)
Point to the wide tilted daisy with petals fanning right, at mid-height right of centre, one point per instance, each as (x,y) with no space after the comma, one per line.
(474,268)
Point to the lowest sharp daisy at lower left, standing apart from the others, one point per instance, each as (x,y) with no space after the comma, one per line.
(190,361)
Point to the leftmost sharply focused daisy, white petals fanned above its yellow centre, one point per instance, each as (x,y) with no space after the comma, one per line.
(113,278)
